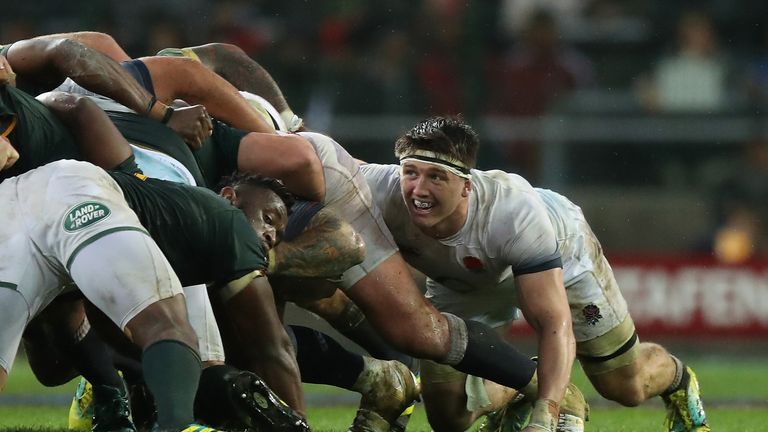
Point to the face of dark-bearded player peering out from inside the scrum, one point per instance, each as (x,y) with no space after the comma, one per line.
(267,214)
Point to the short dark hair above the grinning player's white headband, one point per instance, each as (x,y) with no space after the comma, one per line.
(449,136)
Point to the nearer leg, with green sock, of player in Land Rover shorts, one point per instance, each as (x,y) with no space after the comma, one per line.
(125,275)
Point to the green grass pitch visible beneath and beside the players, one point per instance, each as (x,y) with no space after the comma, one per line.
(724,381)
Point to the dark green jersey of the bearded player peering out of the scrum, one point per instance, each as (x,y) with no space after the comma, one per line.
(204,237)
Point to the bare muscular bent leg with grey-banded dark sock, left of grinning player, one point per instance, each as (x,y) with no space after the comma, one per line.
(420,330)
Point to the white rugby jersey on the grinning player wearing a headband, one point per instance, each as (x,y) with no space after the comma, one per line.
(508,232)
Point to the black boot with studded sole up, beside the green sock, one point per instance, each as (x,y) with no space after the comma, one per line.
(238,400)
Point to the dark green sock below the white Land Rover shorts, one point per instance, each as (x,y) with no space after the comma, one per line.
(172,373)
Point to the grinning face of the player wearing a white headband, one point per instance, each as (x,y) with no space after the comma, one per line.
(436,199)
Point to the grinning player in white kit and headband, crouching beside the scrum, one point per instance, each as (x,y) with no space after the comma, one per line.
(482,239)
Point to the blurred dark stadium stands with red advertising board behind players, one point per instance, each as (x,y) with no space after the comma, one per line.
(648,114)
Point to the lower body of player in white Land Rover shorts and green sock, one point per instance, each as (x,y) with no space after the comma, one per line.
(68,221)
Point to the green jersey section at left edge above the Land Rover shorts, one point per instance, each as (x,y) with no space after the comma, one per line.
(37,134)
